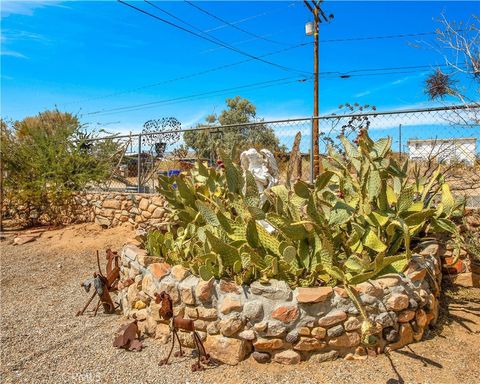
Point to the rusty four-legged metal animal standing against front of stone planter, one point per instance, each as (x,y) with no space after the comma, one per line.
(166,313)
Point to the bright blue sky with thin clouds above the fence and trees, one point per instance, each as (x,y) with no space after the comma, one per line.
(88,56)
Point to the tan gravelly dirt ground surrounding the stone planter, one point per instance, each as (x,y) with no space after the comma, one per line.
(42,341)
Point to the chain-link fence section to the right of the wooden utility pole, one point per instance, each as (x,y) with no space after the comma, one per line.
(446,137)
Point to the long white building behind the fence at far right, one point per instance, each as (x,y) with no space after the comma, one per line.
(458,150)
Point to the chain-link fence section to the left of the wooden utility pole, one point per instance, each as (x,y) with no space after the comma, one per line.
(145,156)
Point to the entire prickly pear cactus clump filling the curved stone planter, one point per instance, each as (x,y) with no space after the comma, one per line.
(357,221)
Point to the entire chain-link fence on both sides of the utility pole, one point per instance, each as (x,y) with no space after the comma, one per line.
(446,136)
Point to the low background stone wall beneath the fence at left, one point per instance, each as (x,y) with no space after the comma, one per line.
(107,209)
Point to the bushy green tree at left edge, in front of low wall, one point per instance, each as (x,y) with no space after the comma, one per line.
(46,159)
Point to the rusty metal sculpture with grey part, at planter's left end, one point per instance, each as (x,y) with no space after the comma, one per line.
(102,284)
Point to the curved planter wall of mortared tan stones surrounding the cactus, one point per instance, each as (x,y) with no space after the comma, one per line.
(277,323)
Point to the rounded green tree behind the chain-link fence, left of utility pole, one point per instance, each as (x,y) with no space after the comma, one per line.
(234,140)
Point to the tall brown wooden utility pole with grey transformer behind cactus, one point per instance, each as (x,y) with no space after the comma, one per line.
(312,28)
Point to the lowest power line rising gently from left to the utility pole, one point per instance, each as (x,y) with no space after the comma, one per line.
(257,85)
